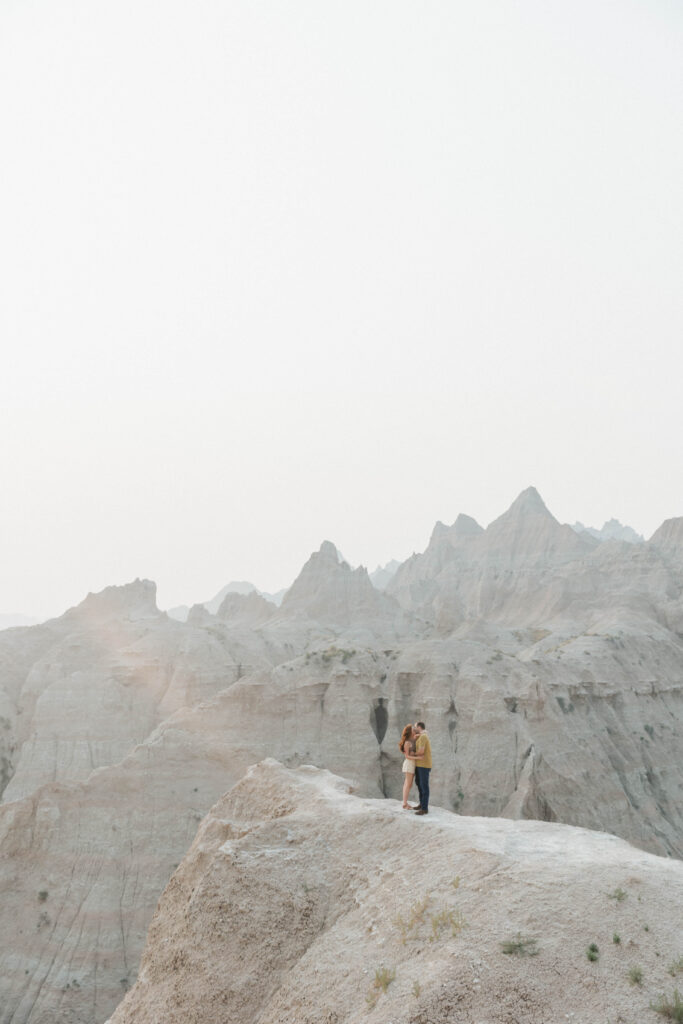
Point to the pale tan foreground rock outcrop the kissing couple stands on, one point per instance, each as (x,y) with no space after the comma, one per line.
(295,893)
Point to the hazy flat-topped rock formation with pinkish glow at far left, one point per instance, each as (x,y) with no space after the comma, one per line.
(108,672)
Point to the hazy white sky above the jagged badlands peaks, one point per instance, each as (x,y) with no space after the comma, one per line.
(274,273)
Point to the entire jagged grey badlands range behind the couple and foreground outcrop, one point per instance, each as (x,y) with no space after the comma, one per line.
(551,687)
